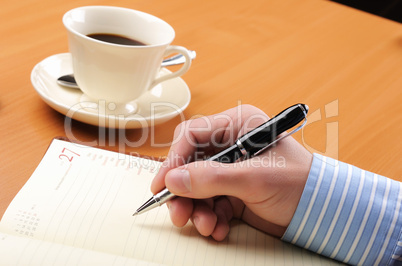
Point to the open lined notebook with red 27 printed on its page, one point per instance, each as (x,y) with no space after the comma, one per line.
(76,209)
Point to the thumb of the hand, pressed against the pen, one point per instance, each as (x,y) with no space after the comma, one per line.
(205,179)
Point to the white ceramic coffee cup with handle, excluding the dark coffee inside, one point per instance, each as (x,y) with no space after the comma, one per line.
(119,73)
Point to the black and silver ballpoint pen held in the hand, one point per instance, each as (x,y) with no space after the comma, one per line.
(248,145)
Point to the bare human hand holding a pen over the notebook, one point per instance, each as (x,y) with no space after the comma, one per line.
(263,191)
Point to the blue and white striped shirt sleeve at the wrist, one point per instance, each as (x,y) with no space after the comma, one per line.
(349,215)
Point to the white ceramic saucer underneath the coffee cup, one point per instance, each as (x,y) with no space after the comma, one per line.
(161,103)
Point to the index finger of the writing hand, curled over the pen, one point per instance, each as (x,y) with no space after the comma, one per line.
(206,136)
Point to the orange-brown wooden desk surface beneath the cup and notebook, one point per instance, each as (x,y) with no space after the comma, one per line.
(345,64)
